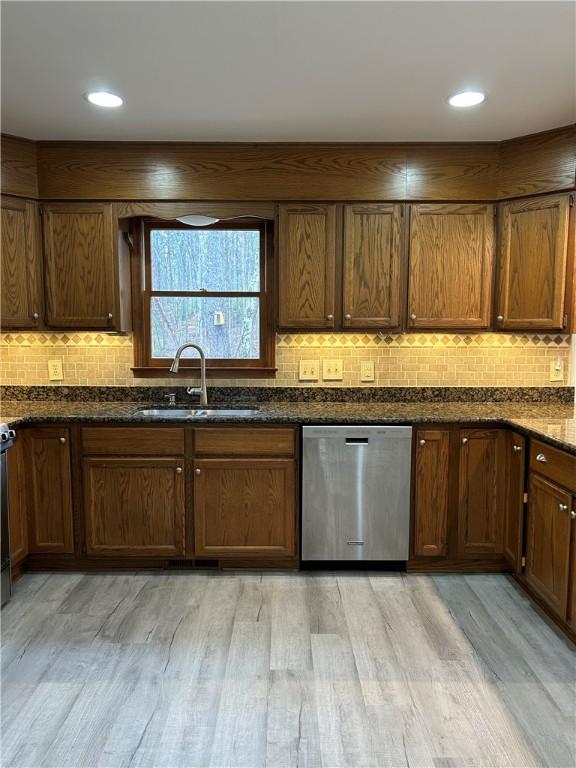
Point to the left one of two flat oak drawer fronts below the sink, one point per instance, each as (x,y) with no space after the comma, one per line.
(136,441)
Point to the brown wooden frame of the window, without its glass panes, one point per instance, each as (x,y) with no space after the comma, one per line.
(144,364)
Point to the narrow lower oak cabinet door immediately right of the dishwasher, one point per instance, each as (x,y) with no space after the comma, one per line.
(431,492)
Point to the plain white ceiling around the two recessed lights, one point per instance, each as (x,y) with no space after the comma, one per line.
(287,71)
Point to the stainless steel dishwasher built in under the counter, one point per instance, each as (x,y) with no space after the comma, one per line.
(356,493)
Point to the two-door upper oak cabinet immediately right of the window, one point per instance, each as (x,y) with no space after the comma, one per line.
(330,281)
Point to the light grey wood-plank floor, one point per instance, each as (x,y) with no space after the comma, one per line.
(250,669)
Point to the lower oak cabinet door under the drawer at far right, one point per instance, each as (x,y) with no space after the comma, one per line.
(548,542)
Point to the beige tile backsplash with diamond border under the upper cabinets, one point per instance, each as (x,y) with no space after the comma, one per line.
(400,360)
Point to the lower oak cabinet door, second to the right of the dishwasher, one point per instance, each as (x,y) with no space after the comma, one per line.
(481,492)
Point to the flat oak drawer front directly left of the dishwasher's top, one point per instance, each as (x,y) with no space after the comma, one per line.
(244,441)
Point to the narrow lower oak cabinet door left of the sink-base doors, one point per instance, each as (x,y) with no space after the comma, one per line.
(50,496)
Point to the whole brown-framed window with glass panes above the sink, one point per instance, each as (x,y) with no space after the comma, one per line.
(209,285)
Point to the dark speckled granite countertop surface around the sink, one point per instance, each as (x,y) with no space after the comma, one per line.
(554,423)
